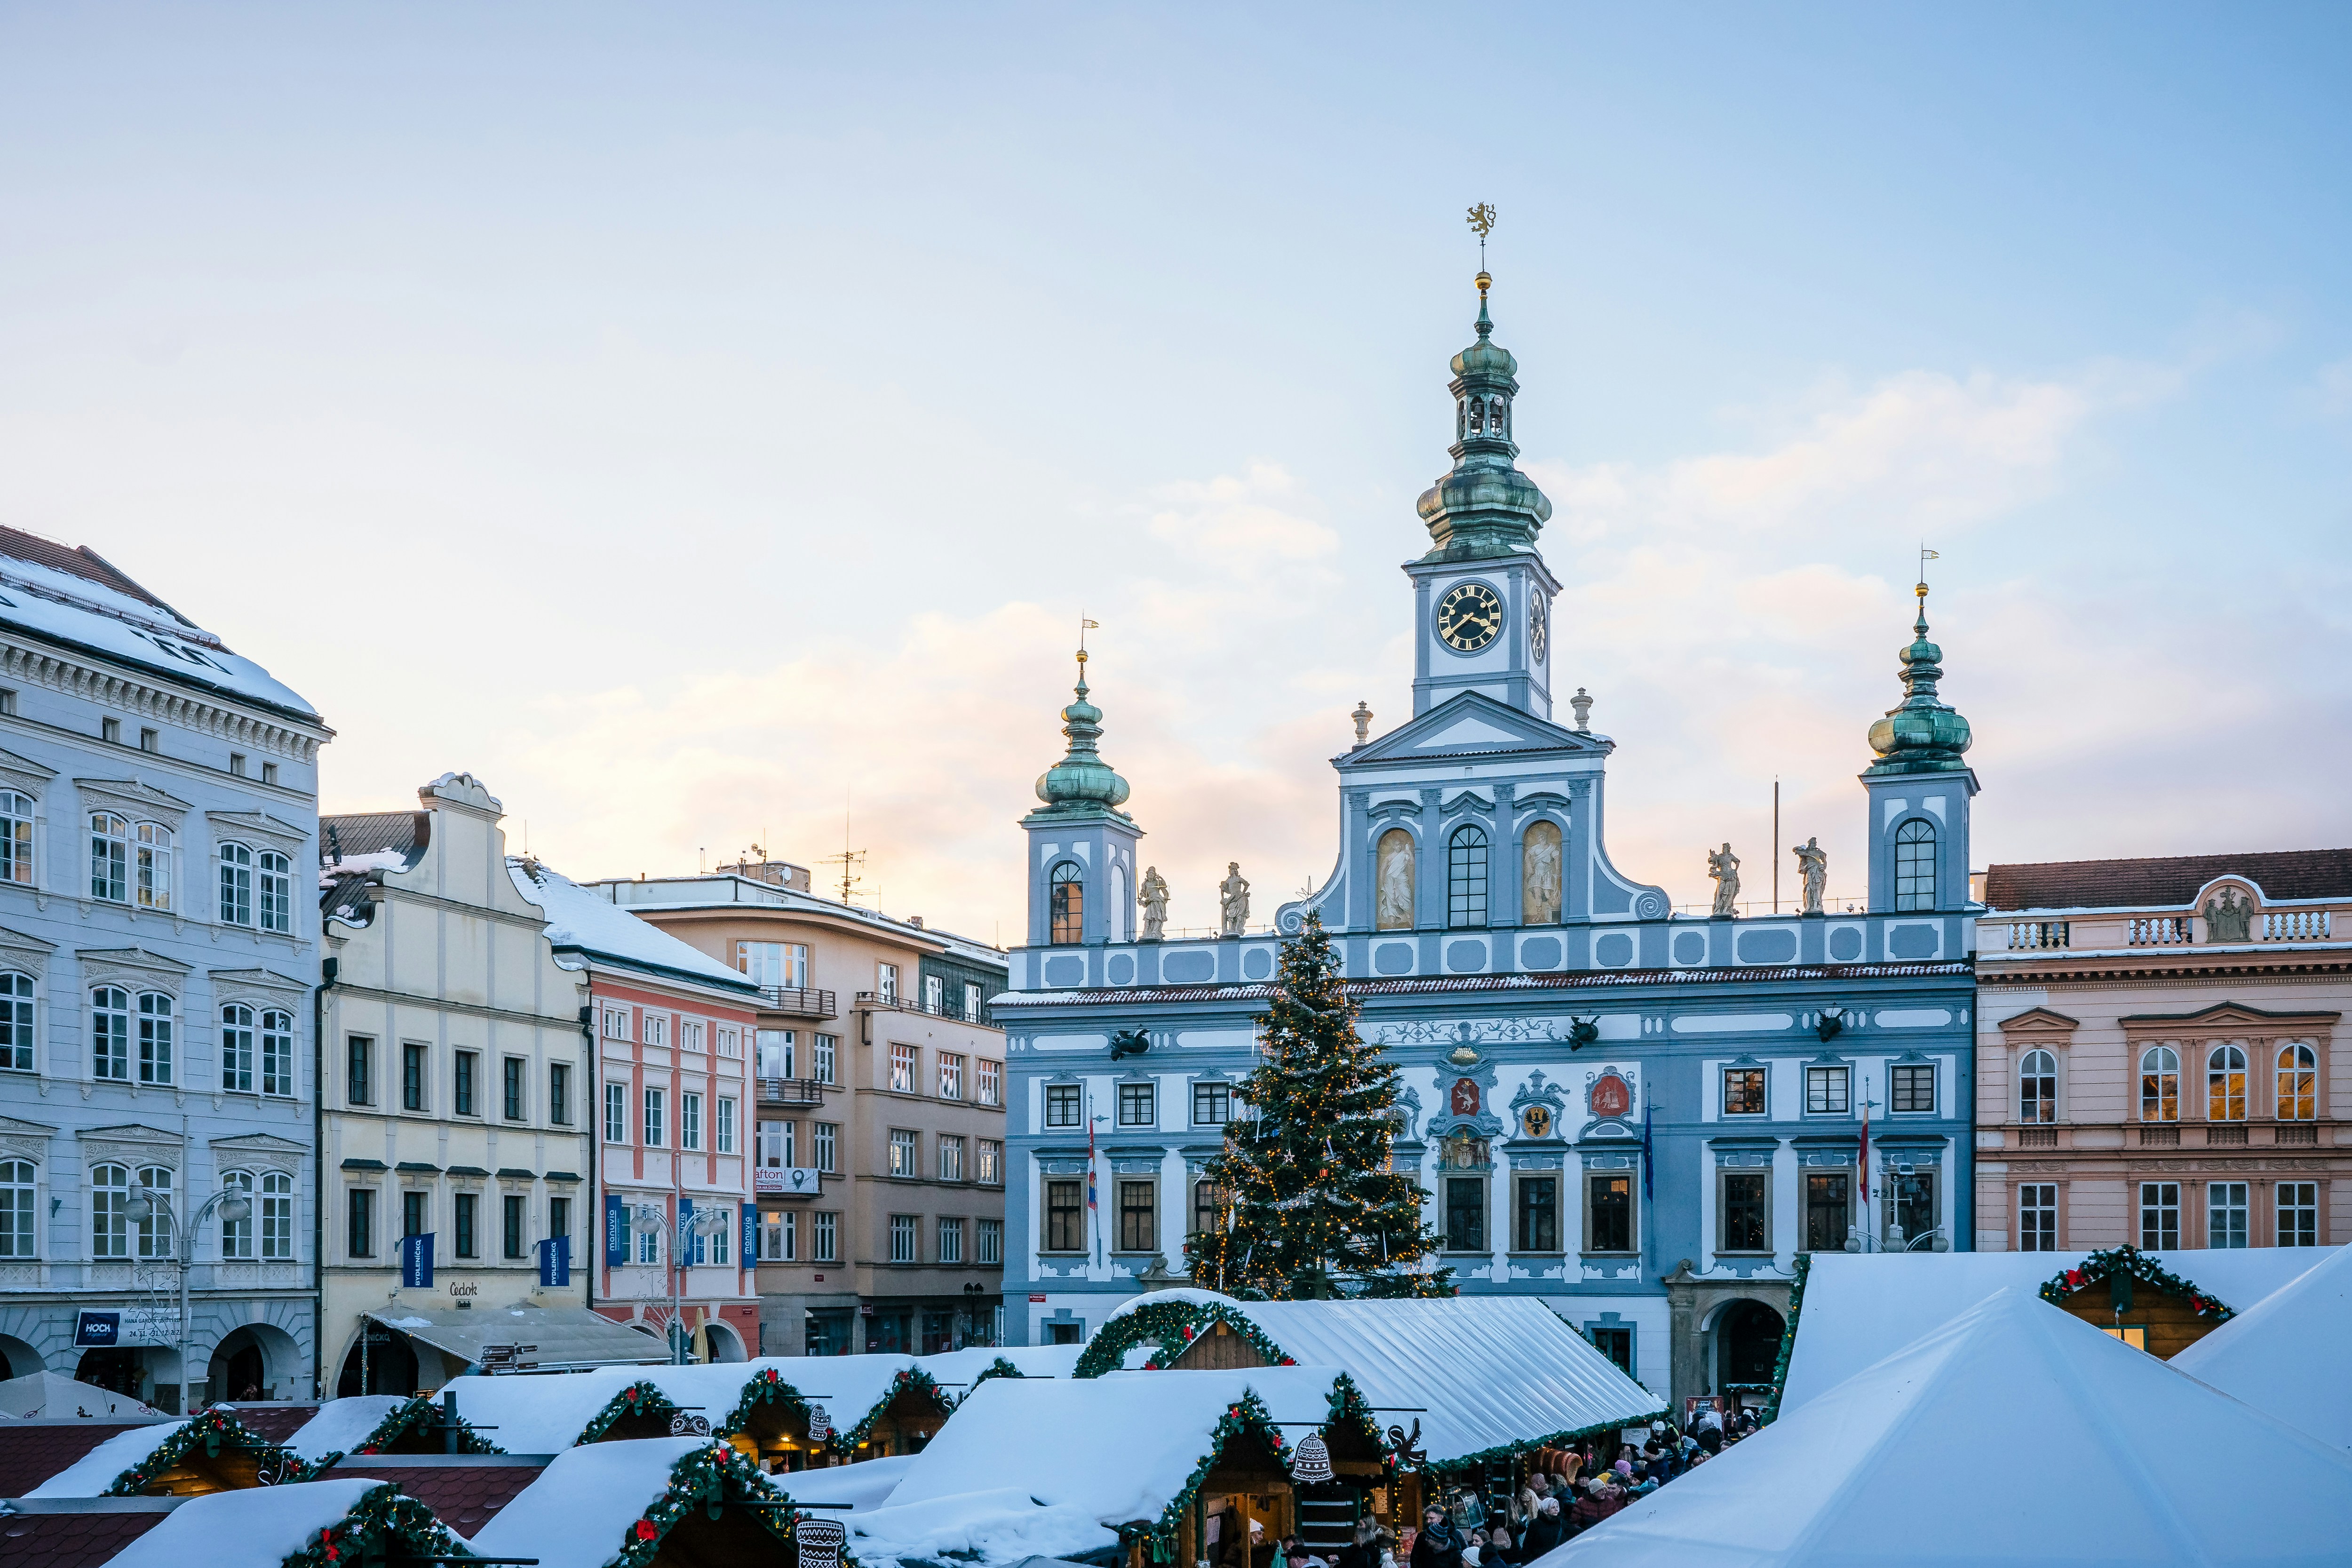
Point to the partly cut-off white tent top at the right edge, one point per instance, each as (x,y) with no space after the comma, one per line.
(2290,1355)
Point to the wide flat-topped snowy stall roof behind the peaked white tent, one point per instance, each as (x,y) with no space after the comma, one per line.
(1866,1306)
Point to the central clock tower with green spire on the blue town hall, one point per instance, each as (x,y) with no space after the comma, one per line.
(1483,598)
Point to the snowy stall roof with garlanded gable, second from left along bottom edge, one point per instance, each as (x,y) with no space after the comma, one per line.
(584,1510)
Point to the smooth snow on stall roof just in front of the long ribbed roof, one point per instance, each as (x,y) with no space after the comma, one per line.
(1118,1447)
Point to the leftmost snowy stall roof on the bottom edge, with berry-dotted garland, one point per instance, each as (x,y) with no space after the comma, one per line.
(272,1525)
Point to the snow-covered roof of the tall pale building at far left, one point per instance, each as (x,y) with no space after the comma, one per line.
(79,610)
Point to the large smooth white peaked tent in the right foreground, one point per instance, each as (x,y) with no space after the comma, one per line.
(2010,1438)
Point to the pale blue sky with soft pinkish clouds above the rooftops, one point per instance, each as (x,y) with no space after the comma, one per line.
(709,424)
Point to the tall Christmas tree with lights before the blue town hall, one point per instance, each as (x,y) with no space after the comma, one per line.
(1307,1200)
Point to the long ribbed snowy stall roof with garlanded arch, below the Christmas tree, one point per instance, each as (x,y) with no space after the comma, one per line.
(1483,1372)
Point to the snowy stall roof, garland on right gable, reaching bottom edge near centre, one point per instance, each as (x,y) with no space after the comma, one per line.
(1107,1452)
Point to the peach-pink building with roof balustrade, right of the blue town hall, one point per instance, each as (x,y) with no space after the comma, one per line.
(2163,1054)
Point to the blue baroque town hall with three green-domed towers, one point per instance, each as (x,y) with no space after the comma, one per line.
(1549,1014)
